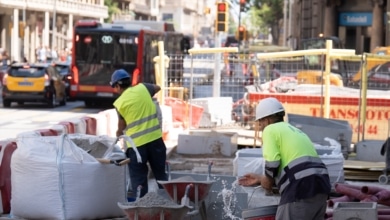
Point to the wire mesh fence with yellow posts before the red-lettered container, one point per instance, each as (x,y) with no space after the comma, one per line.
(335,84)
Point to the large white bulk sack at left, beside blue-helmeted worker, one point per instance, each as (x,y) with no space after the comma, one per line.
(52,178)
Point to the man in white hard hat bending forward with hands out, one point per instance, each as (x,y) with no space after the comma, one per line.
(292,163)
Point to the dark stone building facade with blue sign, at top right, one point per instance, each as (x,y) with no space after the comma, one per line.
(360,25)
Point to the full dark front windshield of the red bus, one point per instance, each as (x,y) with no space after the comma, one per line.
(99,54)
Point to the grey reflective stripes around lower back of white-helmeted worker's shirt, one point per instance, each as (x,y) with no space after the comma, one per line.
(284,179)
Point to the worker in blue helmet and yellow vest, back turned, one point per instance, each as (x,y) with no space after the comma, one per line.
(138,118)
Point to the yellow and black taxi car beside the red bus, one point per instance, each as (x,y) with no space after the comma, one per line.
(33,83)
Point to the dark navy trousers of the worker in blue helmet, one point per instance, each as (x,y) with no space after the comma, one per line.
(154,153)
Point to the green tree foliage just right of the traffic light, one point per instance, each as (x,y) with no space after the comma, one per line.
(270,13)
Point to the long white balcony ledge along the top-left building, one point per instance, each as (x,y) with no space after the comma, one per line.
(62,6)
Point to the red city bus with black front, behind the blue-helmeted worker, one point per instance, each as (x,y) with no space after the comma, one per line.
(101,48)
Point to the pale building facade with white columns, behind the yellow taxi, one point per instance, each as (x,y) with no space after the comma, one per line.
(28,24)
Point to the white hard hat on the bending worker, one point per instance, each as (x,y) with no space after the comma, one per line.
(267,107)
